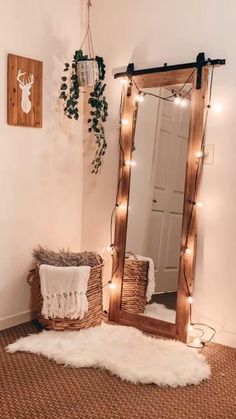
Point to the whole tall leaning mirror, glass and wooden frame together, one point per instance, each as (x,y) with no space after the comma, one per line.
(162,131)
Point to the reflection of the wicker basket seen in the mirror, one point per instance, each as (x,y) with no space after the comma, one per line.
(134,285)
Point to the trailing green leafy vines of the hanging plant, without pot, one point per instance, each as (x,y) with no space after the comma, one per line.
(70,92)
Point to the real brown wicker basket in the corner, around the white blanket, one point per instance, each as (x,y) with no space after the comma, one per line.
(94,315)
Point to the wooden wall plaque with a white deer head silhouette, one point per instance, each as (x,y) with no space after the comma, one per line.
(24,91)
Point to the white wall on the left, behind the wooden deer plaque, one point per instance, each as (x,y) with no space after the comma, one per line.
(40,169)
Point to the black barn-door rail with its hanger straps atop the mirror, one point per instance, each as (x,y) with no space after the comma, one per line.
(200,62)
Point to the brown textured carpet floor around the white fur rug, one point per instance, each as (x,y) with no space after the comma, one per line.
(32,387)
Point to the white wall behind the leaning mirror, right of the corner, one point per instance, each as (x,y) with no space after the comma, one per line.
(150,33)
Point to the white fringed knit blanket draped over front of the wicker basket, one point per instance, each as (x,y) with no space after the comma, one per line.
(64,291)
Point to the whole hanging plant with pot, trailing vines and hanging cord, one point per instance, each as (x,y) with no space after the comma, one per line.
(87,70)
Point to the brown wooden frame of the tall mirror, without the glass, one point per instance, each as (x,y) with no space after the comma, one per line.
(129,110)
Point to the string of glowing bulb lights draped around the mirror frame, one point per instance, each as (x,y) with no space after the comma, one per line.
(179,98)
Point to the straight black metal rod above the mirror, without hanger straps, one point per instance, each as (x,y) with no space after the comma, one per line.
(215,62)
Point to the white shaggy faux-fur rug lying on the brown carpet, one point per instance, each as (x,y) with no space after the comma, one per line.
(124,351)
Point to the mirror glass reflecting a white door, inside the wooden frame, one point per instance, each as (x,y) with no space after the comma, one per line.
(156,200)
